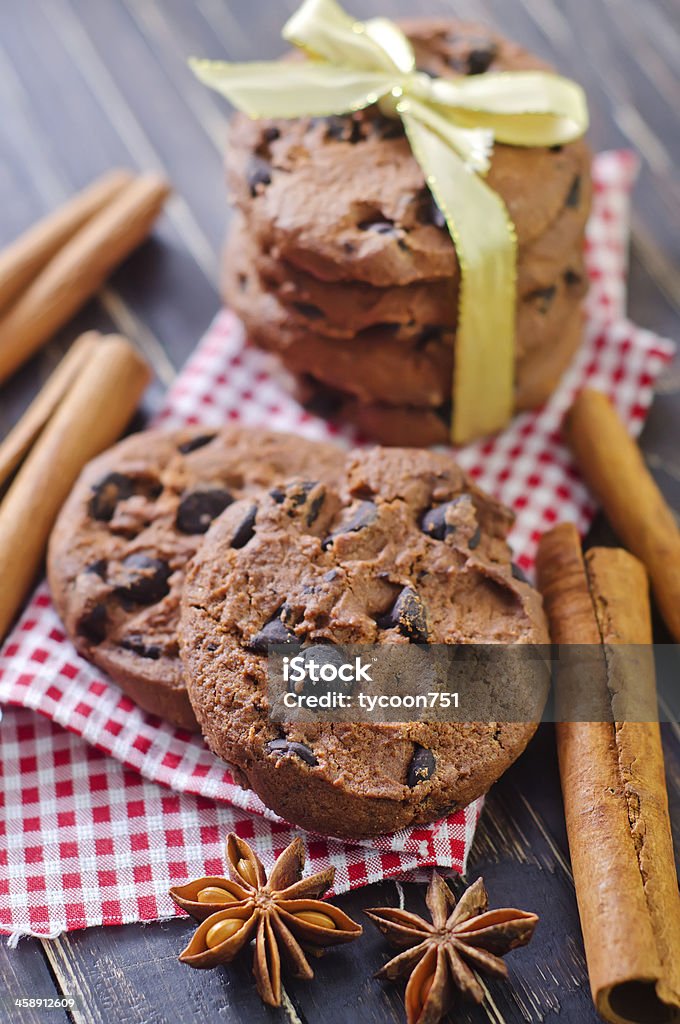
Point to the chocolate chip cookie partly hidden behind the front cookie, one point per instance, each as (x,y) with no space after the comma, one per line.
(135,519)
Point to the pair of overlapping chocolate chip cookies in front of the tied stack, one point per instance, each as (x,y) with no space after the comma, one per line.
(182,557)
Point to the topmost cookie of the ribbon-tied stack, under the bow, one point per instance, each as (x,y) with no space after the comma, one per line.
(345,199)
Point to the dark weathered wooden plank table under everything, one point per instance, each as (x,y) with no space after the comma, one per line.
(90,84)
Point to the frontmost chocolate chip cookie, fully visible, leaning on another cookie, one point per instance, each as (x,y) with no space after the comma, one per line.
(405,550)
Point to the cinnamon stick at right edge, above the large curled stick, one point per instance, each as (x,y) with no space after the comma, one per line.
(615,471)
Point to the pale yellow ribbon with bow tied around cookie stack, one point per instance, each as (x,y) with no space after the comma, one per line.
(451,126)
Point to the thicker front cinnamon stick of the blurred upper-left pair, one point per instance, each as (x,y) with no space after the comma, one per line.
(79,270)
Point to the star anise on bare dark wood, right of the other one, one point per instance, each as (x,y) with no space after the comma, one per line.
(441,958)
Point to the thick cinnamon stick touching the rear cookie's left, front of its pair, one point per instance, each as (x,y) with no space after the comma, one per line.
(92,417)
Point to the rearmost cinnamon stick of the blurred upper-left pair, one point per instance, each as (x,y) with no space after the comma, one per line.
(21,261)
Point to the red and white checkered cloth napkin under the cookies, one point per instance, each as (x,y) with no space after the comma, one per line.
(89,836)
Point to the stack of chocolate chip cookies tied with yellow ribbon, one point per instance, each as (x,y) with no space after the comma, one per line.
(342,264)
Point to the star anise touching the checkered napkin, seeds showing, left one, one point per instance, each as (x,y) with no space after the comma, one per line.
(283,916)
